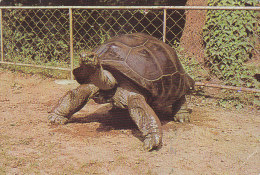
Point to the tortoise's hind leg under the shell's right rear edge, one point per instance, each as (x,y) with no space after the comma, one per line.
(181,111)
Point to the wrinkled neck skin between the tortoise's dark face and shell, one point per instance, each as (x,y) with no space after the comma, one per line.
(103,79)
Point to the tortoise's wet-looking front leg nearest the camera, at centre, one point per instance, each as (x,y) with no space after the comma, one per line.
(143,116)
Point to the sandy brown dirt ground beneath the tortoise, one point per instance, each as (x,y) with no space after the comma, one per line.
(216,141)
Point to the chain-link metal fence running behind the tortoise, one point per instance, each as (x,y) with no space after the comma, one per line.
(52,37)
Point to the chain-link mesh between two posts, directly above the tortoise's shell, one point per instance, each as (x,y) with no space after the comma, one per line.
(94,27)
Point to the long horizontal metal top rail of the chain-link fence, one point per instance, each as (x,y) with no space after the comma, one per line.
(135,7)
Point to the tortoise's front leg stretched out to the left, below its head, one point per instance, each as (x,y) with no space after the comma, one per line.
(72,102)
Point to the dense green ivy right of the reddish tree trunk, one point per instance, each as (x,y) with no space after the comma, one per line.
(228,45)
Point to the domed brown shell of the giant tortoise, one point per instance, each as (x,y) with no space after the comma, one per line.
(149,62)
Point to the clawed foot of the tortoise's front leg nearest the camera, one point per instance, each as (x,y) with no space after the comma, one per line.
(152,141)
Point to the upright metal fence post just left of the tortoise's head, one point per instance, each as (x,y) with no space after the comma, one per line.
(71,44)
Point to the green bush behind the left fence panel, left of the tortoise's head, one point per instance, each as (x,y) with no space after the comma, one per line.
(36,37)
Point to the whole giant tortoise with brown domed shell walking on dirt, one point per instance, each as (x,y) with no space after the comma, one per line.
(133,71)
